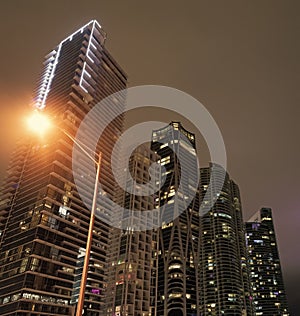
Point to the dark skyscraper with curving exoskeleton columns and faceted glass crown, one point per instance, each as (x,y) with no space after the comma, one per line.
(178,254)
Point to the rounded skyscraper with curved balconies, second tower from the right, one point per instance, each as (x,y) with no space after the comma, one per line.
(224,280)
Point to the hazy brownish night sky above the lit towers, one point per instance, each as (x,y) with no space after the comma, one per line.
(238,58)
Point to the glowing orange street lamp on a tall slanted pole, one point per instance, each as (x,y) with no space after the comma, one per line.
(39,123)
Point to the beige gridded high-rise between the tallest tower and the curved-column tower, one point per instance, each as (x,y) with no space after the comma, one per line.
(133,252)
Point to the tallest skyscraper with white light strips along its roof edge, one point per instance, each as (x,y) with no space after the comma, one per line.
(45,224)
